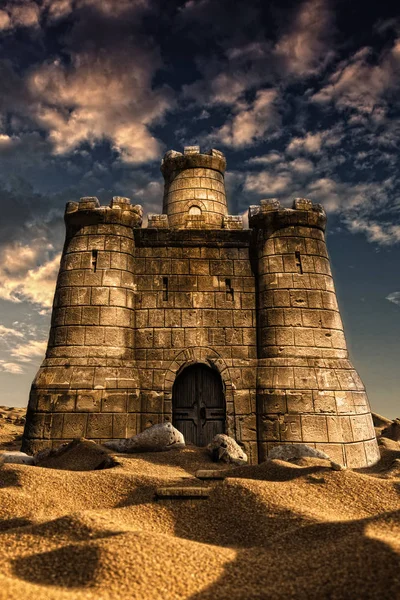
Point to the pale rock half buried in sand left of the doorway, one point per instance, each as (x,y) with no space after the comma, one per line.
(156,438)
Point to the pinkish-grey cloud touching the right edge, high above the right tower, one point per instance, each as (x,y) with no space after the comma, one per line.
(361,85)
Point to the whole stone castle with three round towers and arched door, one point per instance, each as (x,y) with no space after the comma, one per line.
(196,320)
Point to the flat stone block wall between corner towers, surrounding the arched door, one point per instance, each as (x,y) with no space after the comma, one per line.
(195,302)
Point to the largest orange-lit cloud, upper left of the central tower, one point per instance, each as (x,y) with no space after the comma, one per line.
(101,95)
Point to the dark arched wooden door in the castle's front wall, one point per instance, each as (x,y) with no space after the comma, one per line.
(198,404)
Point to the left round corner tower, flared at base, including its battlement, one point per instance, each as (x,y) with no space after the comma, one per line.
(87,385)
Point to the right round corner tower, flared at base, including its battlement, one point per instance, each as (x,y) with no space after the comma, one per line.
(307,389)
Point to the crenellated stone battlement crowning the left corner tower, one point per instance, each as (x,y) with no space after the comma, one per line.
(89,211)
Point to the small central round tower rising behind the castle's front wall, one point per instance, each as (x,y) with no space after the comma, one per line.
(194,192)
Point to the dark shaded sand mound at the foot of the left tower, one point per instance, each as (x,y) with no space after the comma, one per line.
(78,455)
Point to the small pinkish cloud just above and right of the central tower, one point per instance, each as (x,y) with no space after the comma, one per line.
(251,122)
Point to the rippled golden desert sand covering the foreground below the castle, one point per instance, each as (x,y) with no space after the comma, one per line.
(272,531)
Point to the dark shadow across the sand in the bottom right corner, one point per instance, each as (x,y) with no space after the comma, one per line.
(319,561)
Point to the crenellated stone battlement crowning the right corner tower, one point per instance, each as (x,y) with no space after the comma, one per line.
(269,215)
